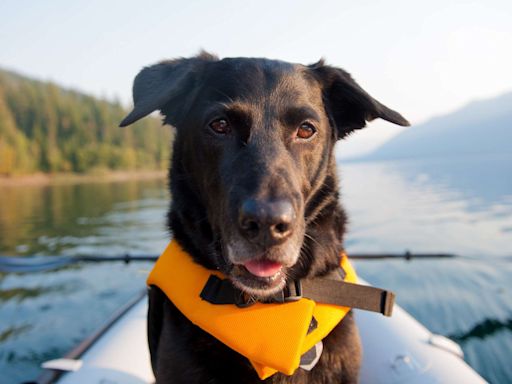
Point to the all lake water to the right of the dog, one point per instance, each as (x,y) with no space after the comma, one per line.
(458,205)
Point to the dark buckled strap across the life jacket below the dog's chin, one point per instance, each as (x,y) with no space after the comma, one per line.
(325,290)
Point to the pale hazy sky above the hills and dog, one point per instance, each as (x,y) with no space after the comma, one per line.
(420,58)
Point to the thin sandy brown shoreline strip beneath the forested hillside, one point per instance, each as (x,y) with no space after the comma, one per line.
(41,179)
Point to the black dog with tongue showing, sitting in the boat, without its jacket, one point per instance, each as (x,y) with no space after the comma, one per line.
(255,195)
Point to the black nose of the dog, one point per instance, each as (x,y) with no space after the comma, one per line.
(266,223)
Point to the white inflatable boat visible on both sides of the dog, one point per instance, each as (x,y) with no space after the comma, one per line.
(396,350)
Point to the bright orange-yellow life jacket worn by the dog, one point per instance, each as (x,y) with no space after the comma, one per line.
(272,336)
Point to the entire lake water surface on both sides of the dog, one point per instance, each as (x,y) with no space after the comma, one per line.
(458,205)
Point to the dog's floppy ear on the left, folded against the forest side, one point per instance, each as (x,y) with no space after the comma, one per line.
(162,83)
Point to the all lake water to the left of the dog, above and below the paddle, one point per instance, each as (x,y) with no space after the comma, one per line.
(45,314)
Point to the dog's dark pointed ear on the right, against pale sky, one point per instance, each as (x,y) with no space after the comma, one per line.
(350,106)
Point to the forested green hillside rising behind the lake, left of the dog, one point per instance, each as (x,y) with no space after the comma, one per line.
(46,128)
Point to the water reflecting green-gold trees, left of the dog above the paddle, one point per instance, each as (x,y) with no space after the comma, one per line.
(81,218)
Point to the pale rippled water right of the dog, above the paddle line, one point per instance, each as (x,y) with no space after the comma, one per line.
(459,205)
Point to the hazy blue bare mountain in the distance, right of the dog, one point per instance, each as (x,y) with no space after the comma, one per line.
(480,127)
